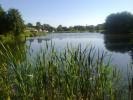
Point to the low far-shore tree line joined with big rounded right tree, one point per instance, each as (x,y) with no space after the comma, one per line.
(116,23)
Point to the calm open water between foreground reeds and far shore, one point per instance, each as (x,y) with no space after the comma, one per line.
(119,49)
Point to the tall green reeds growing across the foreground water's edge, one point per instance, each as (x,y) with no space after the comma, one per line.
(72,74)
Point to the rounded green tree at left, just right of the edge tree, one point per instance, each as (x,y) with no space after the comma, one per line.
(15,21)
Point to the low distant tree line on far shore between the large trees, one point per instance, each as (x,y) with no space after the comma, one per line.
(60,28)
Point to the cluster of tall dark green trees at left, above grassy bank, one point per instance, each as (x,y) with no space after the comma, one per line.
(11,22)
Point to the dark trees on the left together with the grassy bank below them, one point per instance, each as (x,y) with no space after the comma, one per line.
(12,26)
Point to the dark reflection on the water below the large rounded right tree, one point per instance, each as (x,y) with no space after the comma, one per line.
(119,44)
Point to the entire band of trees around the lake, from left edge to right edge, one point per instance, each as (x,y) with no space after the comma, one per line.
(12,22)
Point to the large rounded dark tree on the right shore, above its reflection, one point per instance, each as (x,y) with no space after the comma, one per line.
(120,23)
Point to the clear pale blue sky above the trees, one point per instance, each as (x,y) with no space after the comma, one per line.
(67,12)
